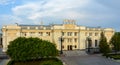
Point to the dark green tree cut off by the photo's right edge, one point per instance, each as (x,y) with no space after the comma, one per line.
(115,41)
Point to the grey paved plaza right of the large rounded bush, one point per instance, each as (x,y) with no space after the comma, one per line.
(86,59)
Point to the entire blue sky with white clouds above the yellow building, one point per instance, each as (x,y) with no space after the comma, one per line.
(92,13)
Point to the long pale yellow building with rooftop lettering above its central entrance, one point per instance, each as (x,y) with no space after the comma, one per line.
(74,36)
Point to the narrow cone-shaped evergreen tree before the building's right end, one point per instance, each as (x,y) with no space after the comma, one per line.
(103,45)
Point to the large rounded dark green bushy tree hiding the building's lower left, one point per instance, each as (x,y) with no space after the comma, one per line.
(23,49)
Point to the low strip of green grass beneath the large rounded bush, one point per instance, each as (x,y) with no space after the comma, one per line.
(45,61)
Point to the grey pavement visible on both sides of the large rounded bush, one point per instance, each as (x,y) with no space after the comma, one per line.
(74,58)
